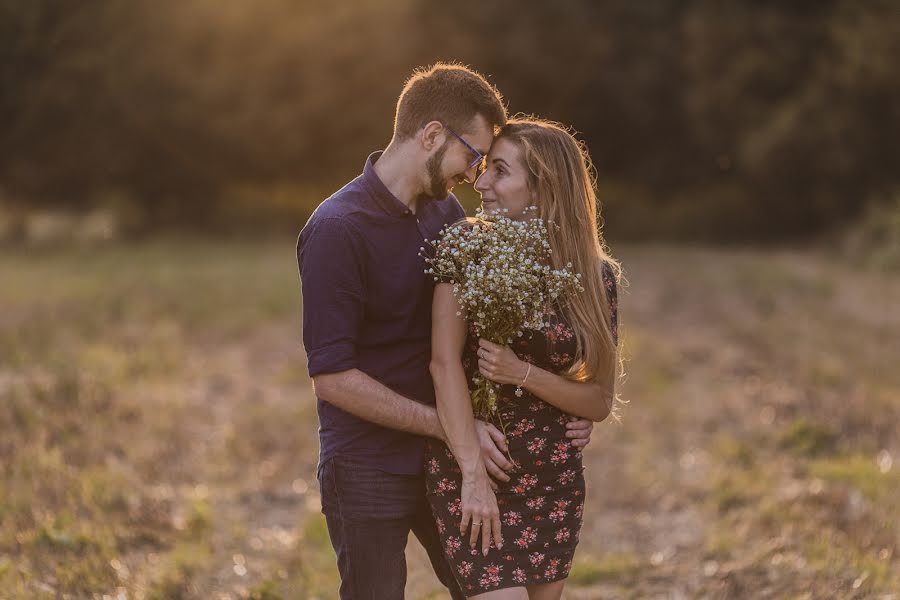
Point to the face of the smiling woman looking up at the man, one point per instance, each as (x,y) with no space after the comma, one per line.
(504,184)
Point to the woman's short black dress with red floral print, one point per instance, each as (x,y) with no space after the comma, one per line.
(542,506)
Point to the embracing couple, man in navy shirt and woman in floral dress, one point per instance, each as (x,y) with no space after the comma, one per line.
(392,355)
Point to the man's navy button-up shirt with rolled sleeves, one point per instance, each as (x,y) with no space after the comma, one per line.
(367,306)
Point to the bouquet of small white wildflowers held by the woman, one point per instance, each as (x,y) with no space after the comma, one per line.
(501,275)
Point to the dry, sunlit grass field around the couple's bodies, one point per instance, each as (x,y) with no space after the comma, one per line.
(158,432)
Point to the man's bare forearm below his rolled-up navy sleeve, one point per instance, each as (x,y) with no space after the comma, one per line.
(363,396)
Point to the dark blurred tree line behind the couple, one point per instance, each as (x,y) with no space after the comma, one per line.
(706,120)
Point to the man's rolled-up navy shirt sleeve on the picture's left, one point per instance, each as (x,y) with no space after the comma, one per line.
(332,281)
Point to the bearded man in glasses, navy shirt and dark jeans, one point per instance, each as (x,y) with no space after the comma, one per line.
(367,329)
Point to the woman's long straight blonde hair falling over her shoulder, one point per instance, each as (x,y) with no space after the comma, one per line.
(561,177)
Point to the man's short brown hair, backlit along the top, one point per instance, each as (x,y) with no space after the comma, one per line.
(450,93)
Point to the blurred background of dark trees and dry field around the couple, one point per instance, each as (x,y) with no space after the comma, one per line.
(157,158)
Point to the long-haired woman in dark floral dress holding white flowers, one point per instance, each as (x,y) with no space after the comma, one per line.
(517,539)
